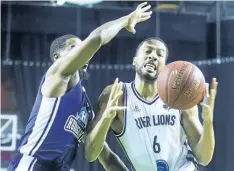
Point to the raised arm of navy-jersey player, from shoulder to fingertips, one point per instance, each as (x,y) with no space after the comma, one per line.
(59,74)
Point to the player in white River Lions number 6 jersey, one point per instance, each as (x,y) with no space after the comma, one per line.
(154,136)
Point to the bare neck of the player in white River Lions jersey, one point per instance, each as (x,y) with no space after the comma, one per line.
(146,89)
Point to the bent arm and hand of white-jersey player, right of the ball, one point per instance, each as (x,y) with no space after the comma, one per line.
(202,138)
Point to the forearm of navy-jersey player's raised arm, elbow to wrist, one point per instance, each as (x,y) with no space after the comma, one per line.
(109,30)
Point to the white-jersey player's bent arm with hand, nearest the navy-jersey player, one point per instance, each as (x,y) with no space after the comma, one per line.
(97,129)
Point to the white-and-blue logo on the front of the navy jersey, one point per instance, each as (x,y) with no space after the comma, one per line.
(77,125)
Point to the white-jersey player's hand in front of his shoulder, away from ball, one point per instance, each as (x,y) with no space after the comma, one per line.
(112,105)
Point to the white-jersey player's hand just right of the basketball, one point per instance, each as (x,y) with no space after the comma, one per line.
(208,104)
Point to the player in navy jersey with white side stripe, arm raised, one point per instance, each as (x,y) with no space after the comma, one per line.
(62,109)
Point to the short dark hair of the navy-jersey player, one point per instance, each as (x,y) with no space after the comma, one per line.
(59,43)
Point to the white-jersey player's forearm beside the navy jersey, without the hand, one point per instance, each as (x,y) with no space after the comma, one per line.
(96,138)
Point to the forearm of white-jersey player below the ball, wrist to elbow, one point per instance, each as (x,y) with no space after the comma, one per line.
(205,147)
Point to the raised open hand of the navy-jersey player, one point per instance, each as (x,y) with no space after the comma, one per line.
(140,14)
